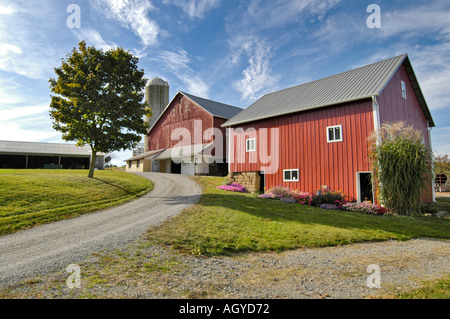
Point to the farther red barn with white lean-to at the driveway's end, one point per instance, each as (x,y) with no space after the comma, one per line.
(188,137)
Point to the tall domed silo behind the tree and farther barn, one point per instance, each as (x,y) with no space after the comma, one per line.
(157,97)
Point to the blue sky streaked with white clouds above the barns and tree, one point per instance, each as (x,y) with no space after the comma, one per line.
(227,50)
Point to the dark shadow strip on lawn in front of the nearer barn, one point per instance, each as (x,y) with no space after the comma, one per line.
(304,214)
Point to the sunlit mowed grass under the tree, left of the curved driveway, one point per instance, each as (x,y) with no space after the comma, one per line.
(33,197)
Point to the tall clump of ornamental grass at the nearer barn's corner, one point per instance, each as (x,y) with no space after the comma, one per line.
(402,167)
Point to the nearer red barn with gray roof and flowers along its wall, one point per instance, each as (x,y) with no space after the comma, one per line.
(314,135)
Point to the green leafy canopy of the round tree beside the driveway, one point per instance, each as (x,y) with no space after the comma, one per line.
(99,99)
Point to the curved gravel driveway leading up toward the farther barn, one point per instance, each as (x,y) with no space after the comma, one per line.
(47,248)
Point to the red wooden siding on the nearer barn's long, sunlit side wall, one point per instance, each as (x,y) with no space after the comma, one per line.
(303,145)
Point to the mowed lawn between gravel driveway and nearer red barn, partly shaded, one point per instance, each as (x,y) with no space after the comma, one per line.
(225,223)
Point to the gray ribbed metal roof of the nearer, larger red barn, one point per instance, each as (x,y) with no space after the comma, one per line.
(357,84)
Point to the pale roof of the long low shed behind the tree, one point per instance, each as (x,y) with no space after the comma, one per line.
(15,147)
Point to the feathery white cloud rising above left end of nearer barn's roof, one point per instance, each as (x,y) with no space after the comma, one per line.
(257,77)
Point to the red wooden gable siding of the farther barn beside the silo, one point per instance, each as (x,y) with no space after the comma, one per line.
(178,116)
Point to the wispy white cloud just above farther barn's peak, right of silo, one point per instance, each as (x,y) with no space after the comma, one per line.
(178,64)
